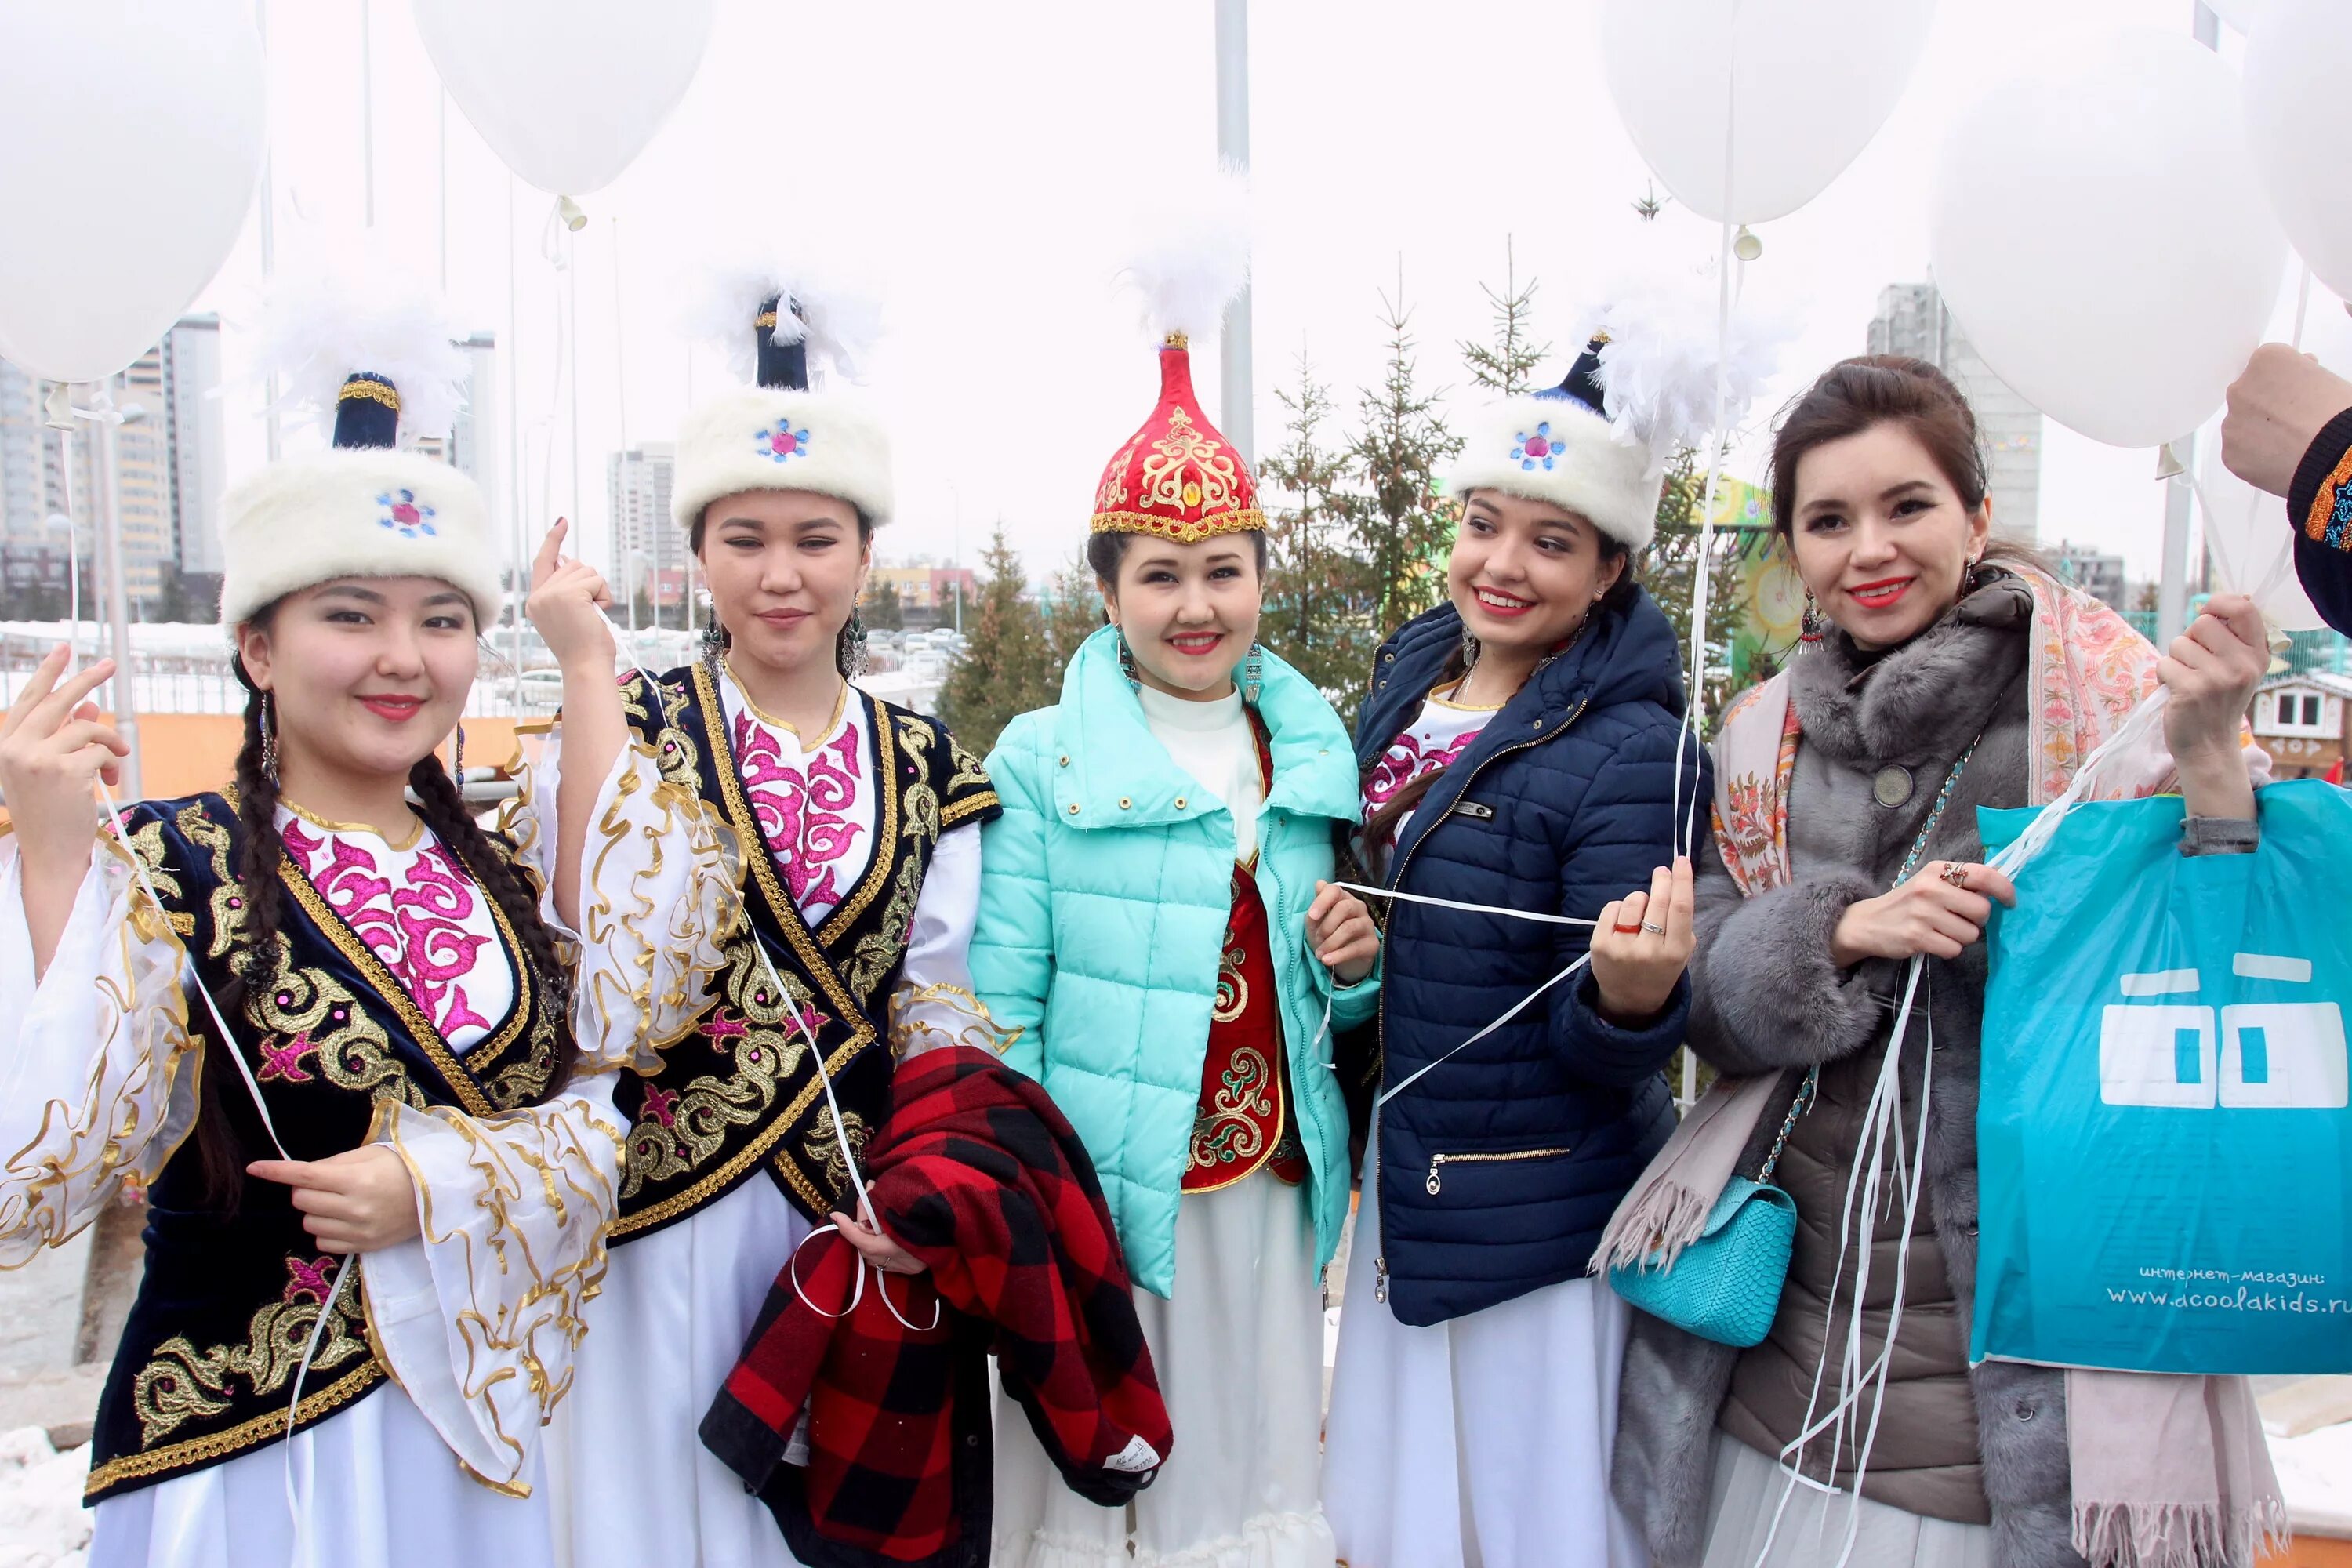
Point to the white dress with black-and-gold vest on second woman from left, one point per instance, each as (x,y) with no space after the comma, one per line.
(860,869)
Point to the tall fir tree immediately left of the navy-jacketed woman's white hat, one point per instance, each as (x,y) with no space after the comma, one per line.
(1394,509)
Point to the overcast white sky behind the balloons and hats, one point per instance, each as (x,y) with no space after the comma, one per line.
(989,156)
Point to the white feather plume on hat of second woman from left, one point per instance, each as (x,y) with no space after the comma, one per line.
(838,319)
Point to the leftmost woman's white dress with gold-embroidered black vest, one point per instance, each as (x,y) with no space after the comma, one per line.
(406,1014)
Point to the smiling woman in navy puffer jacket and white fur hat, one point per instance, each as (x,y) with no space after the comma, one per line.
(1518,753)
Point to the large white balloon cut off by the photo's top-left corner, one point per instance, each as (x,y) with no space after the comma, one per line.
(135,140)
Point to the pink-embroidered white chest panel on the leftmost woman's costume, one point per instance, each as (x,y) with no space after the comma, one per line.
(417,927)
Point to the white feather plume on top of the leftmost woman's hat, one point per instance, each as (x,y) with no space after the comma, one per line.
(323,323)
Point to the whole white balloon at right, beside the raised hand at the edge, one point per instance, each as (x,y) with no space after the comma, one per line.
(2104,241)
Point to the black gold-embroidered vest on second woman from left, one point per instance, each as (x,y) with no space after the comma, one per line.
(742,1090)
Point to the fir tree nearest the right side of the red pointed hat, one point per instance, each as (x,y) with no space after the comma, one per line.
(1318,591)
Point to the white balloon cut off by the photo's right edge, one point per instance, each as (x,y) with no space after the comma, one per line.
(2299,121)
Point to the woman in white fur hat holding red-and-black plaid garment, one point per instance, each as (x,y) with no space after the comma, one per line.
(860,869)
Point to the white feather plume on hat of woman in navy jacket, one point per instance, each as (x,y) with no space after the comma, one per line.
(1662,359)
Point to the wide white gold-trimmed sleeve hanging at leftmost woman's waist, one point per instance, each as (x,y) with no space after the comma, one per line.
(481,1313)
